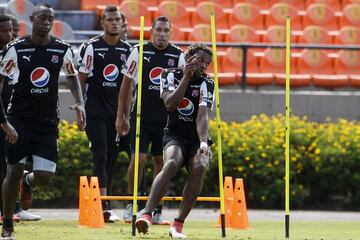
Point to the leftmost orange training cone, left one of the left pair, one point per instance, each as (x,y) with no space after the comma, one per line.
(84,201)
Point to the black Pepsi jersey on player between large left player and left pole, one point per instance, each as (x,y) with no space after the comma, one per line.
(102,62)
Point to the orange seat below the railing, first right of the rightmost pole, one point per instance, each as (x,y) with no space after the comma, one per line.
(319,65)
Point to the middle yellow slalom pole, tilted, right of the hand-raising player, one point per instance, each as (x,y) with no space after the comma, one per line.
(218,122)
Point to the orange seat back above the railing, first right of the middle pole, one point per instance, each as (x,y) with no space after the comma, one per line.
(242,33)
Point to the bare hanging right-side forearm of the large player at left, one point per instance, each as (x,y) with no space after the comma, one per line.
(74,86)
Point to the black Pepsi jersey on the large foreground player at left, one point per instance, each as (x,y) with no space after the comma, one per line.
(35,71)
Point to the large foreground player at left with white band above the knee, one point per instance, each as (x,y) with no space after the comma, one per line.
(35,62)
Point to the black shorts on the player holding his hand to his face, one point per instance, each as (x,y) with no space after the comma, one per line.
(189,147)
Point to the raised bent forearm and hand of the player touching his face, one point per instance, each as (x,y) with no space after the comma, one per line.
(173,99)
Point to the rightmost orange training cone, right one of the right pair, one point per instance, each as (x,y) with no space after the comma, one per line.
(239,217)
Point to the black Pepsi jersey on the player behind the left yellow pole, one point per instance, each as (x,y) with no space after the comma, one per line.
(155,61)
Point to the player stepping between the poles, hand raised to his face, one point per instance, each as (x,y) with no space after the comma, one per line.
(188,96)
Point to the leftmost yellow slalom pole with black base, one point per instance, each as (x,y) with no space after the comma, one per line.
(138,113)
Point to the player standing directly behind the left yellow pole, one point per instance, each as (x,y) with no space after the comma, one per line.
(158,55)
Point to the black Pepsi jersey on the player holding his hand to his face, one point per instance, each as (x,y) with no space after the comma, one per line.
(200,92)
